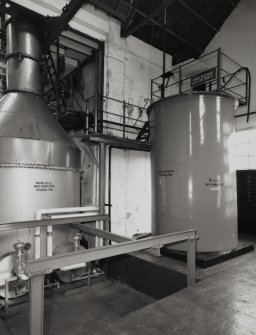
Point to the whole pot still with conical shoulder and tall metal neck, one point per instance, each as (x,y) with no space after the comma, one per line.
(39,162)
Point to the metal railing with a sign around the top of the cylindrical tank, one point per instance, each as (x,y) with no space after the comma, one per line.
(214,71)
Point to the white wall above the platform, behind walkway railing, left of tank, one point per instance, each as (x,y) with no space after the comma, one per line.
(130,64)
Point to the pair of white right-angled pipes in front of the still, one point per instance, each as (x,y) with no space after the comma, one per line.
(37,238)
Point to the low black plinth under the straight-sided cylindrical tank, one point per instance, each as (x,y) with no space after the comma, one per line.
(207,259)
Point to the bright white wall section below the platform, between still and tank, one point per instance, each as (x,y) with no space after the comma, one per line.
(131,210)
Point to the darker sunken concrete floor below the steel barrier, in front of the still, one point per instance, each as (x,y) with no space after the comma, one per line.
(83,310)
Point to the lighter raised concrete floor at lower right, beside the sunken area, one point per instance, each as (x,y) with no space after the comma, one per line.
(224,303)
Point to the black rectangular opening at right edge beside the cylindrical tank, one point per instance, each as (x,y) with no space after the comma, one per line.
(246,201)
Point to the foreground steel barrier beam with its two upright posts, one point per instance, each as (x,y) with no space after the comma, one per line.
(36,269)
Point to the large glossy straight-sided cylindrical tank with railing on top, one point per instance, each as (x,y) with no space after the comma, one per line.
(194,183)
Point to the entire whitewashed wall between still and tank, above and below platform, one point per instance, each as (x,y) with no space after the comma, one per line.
(129,66)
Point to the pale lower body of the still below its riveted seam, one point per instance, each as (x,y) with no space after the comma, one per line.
(24,190)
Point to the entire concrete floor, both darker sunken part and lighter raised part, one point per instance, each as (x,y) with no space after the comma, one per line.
(223,303)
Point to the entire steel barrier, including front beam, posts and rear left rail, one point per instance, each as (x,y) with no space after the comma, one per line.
(36,269)
